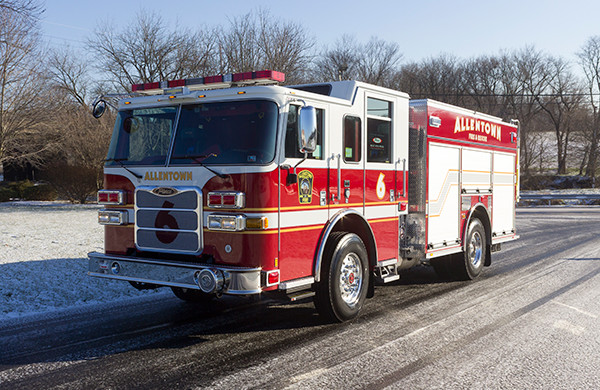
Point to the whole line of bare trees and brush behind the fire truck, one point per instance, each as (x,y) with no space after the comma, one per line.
(45,94)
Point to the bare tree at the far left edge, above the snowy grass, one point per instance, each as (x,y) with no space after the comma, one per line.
(25,99)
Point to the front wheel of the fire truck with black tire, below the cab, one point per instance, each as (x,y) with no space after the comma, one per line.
(344,282)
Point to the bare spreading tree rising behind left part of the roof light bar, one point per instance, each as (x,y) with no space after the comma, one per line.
(147,51)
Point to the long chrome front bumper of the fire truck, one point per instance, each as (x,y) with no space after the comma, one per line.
(238,280)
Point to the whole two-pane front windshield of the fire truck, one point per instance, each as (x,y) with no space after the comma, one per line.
(236,132)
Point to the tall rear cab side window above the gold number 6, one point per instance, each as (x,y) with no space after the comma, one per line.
(379,130)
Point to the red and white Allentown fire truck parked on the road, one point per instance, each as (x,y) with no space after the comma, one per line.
(234,184)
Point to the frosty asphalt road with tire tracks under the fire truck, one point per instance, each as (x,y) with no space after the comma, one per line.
(531,321)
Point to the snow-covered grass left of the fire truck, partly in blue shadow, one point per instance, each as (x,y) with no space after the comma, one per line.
(43,259)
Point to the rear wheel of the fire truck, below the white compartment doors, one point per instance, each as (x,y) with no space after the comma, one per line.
(469,264)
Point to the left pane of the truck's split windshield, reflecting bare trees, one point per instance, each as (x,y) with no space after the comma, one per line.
(142,136)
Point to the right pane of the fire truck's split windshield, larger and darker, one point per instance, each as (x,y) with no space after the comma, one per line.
(240,132)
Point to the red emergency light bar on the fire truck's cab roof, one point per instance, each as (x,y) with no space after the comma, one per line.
(263,77)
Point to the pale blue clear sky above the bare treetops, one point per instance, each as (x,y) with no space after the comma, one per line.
(423,28)
